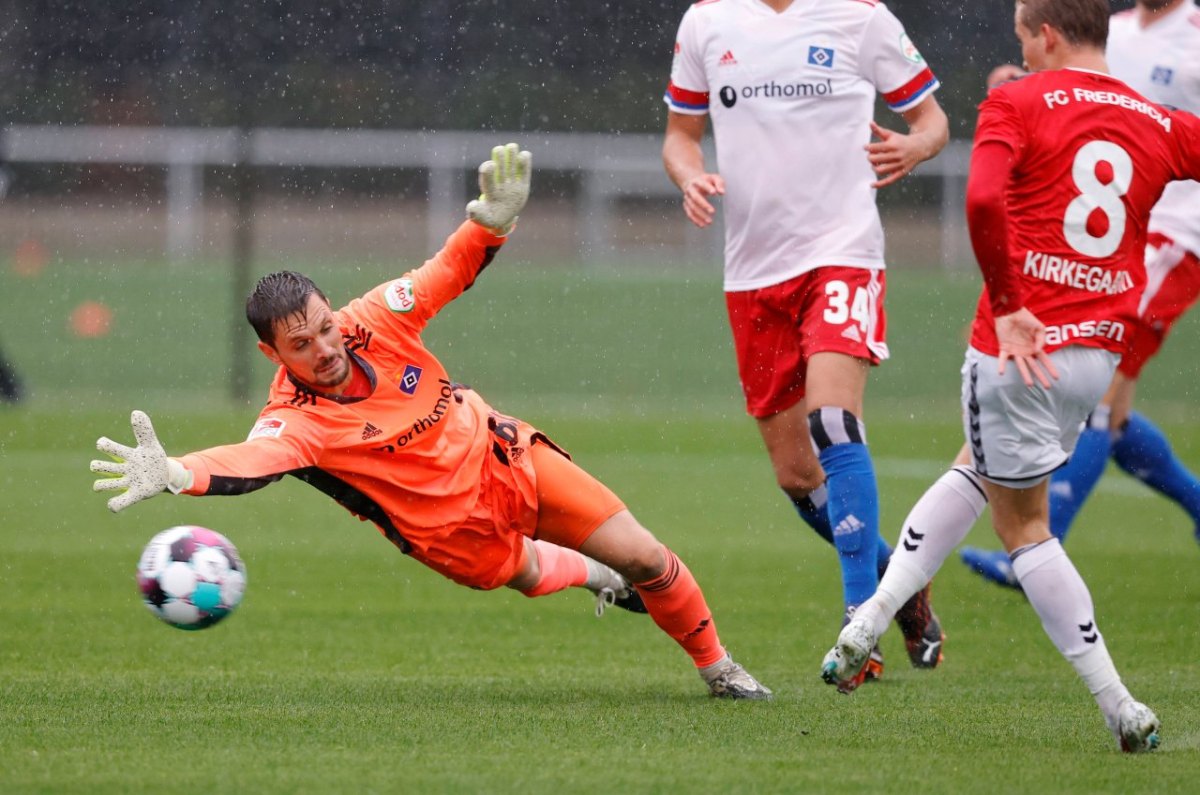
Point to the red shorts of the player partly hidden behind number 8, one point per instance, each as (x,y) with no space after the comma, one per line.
(1173,284)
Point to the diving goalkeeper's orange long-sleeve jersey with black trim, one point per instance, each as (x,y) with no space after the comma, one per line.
(411,457)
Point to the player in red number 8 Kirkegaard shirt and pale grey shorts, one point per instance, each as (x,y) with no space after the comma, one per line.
(1066,168)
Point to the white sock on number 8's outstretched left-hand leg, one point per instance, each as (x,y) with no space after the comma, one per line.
(938,524)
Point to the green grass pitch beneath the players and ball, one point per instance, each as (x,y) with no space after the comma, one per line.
(352,670)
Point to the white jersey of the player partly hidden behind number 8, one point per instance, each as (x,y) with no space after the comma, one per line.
(1162,63)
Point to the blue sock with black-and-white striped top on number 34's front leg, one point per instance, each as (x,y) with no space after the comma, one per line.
(854,500)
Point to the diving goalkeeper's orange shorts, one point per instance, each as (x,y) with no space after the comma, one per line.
(530,489)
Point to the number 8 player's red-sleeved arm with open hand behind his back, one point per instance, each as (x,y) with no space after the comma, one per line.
(1021,334)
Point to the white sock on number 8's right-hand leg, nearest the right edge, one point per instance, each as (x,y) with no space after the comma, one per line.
(1063,601)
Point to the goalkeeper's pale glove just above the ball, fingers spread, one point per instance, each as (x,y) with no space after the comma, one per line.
(145,471)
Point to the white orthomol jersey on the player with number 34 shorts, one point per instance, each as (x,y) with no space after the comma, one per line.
(793,97)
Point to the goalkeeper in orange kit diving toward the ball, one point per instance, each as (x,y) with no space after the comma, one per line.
(364,413)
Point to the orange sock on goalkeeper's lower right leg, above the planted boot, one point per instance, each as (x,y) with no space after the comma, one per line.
(677,606)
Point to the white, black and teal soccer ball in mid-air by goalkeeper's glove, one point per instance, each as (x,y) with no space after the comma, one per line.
(191,577)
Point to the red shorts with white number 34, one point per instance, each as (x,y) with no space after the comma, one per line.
(776,330)
